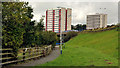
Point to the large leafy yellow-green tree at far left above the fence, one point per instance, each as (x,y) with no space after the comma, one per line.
(13,24)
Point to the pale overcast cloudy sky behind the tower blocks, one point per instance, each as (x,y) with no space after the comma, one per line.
(79,10)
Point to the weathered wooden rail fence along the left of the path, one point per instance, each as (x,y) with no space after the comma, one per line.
(23,54)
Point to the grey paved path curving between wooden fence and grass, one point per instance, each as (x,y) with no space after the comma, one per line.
(53,55)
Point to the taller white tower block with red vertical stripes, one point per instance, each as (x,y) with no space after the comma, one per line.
(58,19)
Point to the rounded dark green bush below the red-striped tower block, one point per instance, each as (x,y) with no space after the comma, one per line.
(45,38)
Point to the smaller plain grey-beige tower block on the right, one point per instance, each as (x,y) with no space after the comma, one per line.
(96,21)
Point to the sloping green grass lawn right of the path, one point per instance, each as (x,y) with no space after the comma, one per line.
(88,49)
